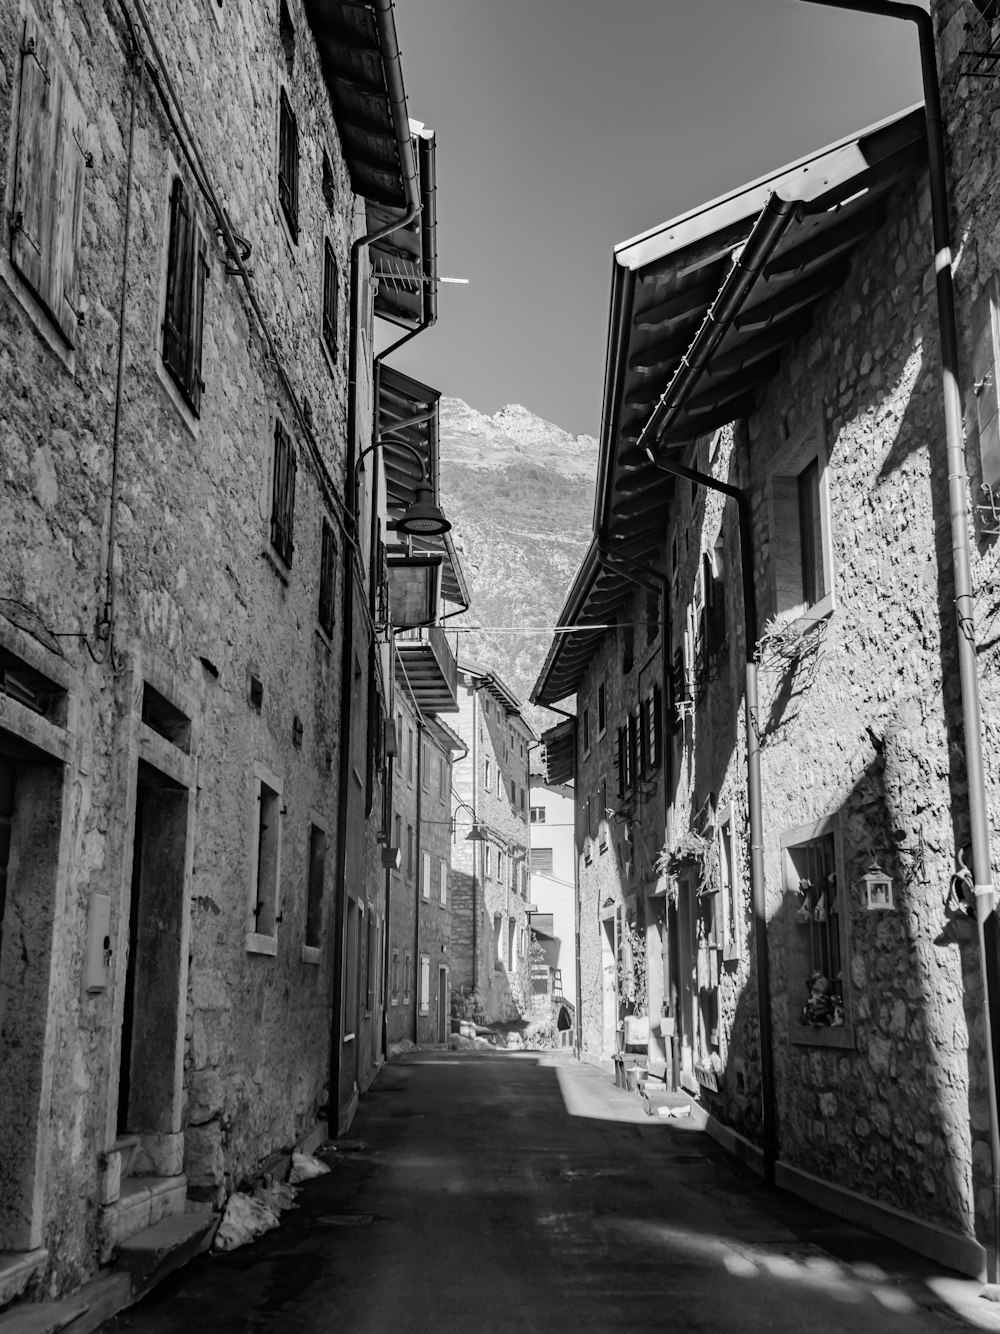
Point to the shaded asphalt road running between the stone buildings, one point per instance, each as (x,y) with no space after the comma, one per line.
(503,1192)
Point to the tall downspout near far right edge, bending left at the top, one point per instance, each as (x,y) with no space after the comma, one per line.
(958,482)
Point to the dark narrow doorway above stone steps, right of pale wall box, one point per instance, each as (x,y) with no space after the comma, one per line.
(153,1023)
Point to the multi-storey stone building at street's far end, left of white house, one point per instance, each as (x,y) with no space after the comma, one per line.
(490,881)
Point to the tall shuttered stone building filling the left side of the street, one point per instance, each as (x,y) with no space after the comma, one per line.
(187,364)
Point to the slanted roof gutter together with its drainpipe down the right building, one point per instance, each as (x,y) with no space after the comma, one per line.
(751,258)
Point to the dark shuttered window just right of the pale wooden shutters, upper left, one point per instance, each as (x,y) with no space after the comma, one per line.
(185,309)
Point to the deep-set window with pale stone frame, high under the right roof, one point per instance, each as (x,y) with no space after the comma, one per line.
(802,562)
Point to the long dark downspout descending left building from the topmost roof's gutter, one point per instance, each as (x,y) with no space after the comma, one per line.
(398,102)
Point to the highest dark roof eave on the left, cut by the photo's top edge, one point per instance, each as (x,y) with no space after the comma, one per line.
(362,70)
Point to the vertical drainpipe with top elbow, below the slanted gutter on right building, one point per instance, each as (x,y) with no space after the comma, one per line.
(754,801)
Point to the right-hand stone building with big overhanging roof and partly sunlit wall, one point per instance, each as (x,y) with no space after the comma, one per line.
(822,1001)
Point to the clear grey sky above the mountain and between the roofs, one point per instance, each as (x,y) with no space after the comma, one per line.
(569,126)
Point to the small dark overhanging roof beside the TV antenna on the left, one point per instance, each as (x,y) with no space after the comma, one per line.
(406,262)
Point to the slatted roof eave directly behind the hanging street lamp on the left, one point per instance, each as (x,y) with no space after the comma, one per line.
(401,401)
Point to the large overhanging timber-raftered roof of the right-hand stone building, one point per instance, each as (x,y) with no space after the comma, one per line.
(663,286)
